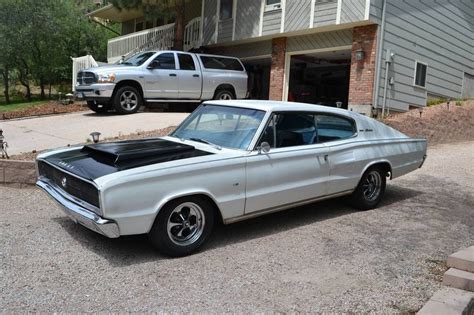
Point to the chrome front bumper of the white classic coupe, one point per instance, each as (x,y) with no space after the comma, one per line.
(81,215)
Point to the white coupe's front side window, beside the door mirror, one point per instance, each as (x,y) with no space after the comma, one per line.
(290,129)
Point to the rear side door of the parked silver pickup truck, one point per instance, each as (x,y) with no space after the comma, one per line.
(189,77)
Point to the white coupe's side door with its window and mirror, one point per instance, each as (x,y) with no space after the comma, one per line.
(295,169)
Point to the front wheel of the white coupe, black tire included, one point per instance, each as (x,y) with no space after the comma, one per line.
(182,226)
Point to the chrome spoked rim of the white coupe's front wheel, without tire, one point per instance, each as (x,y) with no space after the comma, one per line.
(186,224)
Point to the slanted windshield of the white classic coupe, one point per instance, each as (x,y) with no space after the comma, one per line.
(230,127)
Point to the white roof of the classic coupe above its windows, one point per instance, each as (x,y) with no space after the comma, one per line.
(279,106)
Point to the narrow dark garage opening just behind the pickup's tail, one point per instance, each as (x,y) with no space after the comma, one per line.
(258,71)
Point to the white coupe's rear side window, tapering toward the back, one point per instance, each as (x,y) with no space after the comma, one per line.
(330,128)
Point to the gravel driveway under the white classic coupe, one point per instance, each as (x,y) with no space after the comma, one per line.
(323,257)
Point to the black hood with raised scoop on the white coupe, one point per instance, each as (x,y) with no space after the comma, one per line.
(97,160)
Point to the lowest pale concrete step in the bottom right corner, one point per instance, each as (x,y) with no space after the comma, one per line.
(448,301)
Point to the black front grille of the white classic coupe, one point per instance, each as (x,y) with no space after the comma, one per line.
(73,186)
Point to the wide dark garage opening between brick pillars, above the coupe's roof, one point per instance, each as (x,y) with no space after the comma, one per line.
(320,78)
